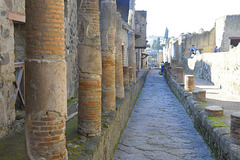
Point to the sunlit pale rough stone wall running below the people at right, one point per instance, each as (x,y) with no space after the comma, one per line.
(221,69)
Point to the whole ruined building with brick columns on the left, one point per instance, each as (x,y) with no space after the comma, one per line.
(52,51)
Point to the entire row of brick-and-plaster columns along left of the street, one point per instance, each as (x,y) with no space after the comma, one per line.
(102,77)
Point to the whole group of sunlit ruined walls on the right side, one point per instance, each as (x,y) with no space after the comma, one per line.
(222,68)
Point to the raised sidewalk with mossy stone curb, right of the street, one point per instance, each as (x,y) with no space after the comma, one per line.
(215,130)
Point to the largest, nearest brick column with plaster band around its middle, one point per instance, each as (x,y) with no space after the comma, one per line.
(46,86)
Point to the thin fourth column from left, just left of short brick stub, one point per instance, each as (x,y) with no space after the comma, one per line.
(118,62)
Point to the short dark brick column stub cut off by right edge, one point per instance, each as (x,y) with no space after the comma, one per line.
(235,127)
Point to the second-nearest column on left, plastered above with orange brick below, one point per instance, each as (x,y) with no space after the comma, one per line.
(90,67)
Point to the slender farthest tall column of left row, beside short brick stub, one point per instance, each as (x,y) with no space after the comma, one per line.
(132,57)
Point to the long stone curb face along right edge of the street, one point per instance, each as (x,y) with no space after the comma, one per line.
(218,139)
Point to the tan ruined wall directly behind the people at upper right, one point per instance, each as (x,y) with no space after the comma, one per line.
(204,41)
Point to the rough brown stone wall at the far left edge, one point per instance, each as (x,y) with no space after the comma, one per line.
(7,114)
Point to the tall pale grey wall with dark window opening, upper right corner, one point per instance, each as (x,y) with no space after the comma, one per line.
(227,26)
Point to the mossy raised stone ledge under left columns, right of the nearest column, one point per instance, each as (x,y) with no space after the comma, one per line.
(113,124)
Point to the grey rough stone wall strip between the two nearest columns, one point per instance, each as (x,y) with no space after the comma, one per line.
(71,41)
